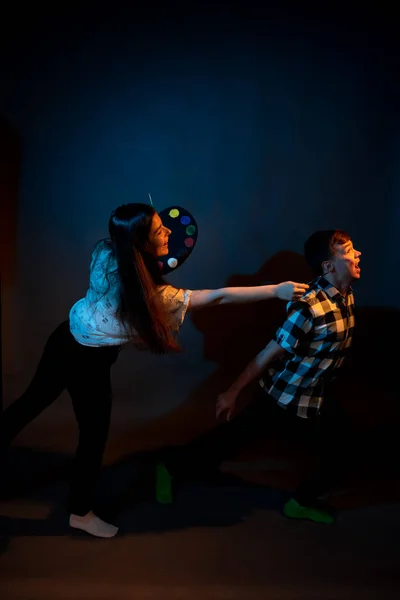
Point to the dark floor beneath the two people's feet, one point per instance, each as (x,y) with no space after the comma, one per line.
(222,542)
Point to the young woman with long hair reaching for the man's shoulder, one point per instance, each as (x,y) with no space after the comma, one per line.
(127,301)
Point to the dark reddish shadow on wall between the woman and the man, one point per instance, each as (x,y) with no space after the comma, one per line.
(233,335)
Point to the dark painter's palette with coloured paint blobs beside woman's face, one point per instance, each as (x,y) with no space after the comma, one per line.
(182,240)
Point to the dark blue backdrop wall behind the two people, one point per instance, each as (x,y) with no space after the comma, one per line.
(265,124)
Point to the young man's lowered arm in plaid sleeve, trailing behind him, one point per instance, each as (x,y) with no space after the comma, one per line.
(297,325)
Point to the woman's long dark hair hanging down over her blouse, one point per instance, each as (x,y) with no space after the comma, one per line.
(140,306)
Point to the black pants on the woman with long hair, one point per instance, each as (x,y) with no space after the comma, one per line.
(85,372)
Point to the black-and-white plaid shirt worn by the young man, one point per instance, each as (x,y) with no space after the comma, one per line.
(316,337)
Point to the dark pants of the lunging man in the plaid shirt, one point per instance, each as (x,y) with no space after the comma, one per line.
(329,436)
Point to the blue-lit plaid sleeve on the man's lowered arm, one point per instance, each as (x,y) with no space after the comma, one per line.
(297,326)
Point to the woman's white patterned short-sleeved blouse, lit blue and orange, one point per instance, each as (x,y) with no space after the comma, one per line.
(93,320)
